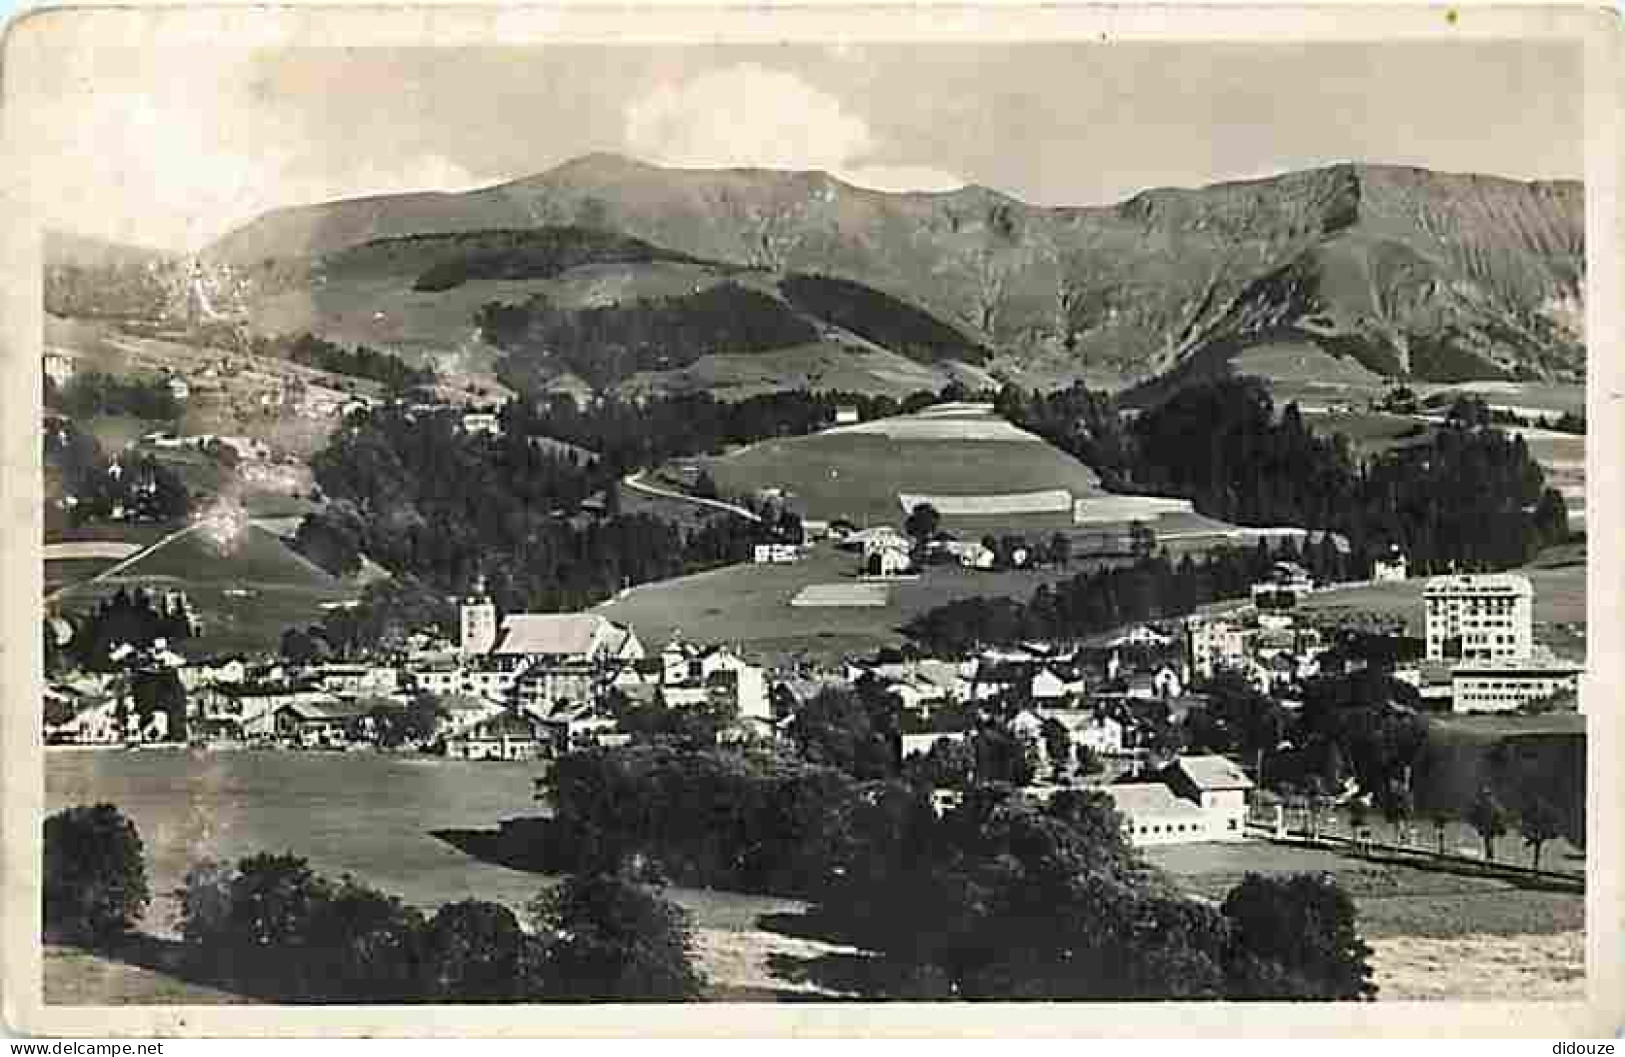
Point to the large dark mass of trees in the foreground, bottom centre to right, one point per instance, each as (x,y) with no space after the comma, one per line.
(999,898)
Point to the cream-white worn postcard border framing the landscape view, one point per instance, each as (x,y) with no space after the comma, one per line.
(28,43)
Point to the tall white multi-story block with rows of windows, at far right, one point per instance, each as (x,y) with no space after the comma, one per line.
(1488,617)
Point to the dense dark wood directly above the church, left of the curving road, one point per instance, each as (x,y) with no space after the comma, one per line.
(423,498)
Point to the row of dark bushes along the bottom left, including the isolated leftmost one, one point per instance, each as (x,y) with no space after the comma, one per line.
(272,928)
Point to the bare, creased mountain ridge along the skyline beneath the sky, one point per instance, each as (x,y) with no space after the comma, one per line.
(1447,276)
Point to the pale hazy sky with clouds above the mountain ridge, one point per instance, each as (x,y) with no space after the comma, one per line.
(173,150)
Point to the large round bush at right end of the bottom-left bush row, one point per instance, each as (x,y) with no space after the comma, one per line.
(612,941)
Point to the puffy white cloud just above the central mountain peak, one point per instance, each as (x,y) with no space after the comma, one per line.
(750,116)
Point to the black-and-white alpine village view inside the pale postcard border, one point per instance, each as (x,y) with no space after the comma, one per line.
(812,521)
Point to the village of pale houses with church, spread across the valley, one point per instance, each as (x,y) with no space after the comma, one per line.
(1114,711)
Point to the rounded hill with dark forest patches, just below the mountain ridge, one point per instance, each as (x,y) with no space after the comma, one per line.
(581,307)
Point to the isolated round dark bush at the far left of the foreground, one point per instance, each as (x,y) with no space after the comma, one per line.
(95,874)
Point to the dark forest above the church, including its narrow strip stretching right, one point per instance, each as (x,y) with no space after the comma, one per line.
(418,495)
